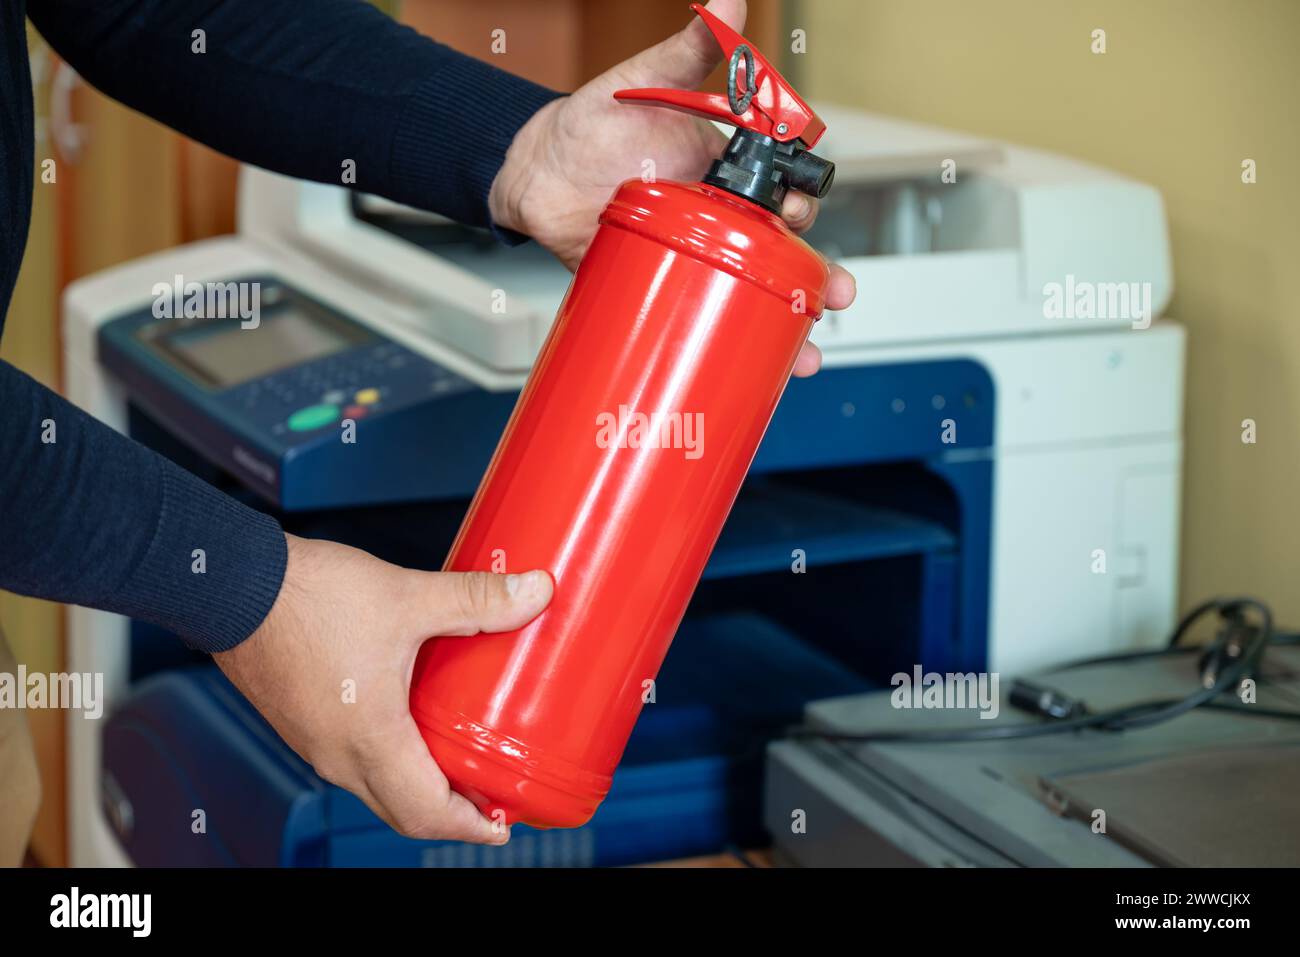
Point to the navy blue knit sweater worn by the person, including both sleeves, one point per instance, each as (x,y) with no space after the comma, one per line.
(297,86)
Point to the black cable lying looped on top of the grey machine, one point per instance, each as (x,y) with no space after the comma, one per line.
(1130,717)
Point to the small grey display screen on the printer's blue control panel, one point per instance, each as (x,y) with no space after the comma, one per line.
(226,354)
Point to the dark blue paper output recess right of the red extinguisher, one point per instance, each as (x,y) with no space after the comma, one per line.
(861,565)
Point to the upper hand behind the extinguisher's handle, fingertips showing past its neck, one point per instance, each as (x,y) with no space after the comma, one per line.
(567,161)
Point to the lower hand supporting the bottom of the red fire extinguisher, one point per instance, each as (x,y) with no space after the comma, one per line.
(348,622)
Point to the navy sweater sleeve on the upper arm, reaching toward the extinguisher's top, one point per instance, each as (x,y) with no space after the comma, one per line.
(306,88)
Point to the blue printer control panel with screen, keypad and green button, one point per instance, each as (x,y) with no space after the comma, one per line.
(287,399)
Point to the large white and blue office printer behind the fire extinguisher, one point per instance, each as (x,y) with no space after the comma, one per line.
(977,479)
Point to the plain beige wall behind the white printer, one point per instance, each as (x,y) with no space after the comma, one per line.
(1185,93)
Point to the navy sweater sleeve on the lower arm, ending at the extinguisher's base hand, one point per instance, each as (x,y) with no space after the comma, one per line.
(89,517)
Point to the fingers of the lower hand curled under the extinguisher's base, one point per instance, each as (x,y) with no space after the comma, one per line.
(411,794)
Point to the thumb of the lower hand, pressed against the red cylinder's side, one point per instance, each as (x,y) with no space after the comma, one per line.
(473,603)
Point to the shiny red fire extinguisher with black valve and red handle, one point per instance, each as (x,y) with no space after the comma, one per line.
(626,453)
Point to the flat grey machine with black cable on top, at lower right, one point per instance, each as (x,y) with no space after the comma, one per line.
(1173,794)
